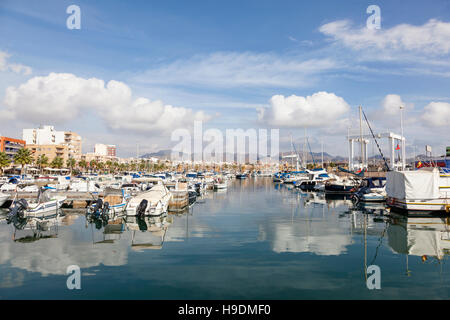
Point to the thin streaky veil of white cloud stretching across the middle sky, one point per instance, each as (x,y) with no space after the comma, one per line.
(232,69)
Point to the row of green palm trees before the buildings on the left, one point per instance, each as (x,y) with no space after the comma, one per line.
(24,157)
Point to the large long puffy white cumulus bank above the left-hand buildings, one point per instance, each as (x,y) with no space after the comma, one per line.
(60,97)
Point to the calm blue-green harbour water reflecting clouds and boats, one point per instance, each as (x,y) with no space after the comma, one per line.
(257,240)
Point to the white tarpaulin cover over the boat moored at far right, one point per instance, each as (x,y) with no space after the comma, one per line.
(418,184)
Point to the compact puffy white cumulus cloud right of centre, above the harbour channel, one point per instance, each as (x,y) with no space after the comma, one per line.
(319,109)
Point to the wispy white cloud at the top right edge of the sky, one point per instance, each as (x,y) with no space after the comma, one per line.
(431,38)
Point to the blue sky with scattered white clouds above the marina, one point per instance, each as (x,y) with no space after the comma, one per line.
(136,71)
